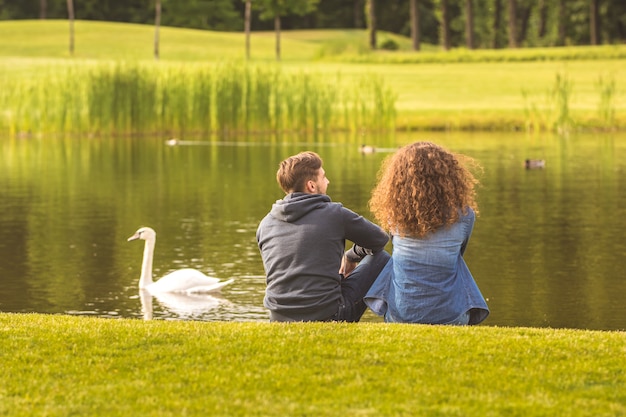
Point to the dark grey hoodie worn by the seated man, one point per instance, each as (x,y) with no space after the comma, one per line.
(302,241)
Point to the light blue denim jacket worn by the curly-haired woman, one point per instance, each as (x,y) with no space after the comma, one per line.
(427,280)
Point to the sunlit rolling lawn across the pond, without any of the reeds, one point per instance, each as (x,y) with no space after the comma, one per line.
(481,94)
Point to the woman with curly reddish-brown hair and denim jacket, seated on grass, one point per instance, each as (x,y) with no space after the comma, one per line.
(425,199)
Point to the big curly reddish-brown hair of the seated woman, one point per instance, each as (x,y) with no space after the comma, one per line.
(421,188)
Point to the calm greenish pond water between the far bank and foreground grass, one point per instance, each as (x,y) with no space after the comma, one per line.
(547,249)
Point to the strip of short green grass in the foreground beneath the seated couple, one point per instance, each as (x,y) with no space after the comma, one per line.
(63,365)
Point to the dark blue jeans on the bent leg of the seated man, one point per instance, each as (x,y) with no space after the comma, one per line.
(358,283)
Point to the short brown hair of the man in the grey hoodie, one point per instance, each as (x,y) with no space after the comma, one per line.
(295,171)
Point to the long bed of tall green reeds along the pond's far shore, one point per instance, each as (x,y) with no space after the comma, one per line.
(123,98)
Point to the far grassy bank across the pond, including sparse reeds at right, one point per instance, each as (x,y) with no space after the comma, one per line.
(457,90)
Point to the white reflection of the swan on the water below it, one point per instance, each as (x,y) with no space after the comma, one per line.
(182,305)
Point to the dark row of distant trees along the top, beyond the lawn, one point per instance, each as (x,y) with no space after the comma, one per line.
(451,23)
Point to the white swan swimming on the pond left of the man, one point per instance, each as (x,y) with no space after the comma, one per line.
(185,280)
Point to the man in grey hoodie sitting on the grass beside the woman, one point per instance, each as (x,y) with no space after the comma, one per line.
(302,243)
